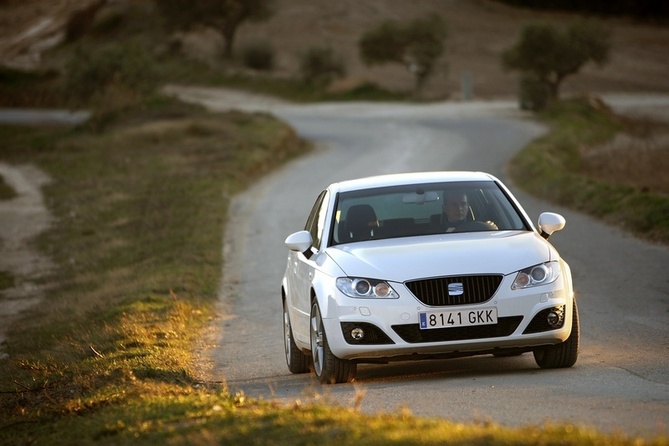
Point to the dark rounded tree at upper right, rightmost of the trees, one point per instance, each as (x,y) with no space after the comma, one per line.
(550,55)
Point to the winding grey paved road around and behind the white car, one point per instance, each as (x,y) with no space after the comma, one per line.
(621,380)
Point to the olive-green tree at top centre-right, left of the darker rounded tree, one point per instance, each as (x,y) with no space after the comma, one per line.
(417,45)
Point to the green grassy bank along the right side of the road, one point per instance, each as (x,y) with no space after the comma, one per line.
(559,167)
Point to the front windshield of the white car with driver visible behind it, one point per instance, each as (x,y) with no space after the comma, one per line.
(411,210)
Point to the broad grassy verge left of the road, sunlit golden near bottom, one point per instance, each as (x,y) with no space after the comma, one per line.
(139,212)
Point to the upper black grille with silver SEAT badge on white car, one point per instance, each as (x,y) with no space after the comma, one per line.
(435,292)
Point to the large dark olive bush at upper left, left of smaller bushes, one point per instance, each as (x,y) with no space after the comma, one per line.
(120,73)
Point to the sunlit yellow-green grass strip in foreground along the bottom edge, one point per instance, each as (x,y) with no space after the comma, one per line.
(202,417)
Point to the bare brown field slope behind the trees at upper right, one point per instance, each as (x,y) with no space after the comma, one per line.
(479,31)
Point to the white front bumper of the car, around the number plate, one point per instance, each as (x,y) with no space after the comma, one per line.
(391,330)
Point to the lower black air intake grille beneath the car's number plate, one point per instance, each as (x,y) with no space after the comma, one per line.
(413,334)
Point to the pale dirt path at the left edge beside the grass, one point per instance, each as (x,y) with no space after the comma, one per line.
(21,220)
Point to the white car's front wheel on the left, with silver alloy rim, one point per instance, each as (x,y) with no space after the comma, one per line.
(327,367)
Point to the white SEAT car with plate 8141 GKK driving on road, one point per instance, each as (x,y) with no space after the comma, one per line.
(420,266)
